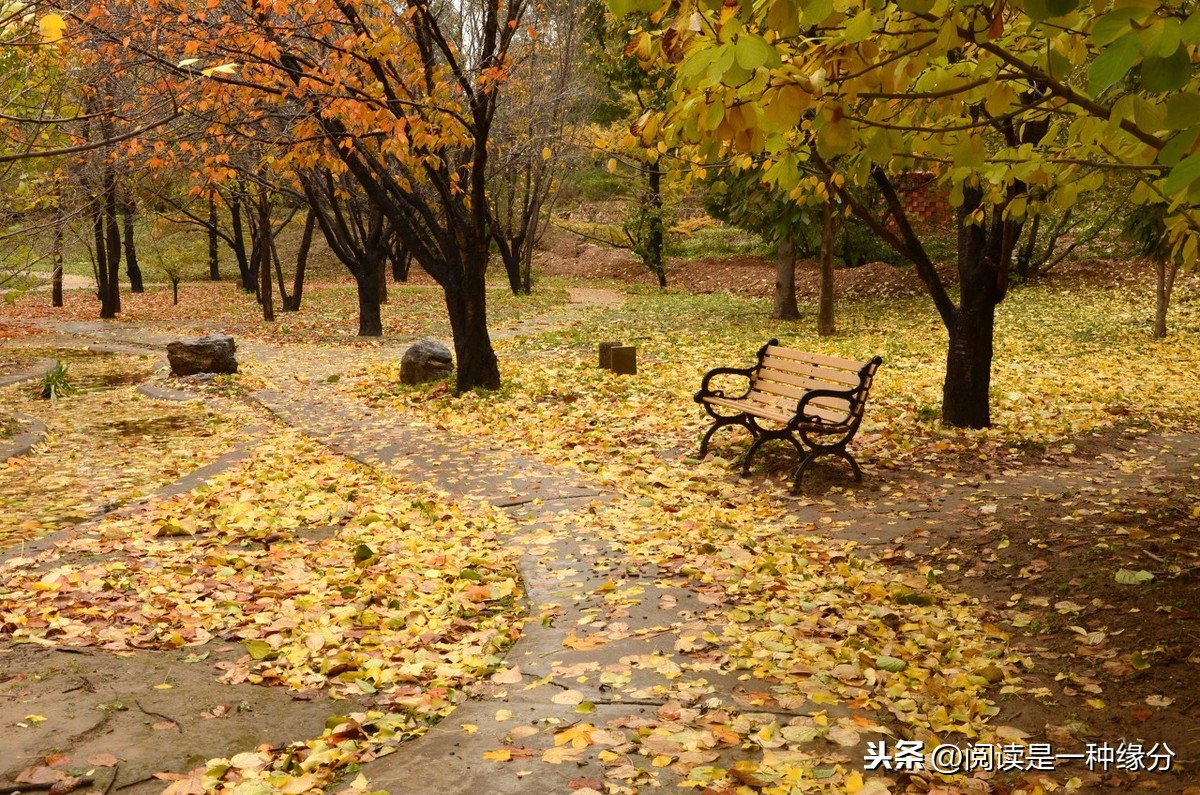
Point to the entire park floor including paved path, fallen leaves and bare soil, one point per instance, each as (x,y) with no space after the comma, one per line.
(634,656)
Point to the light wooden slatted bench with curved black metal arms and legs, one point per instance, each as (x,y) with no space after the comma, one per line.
(813,402)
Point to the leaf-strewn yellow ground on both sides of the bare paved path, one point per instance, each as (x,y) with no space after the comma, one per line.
(1033,583)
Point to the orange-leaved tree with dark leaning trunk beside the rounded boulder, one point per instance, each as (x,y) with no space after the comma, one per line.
(401,97)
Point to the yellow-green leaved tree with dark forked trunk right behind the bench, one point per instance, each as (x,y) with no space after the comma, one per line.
(1000,100)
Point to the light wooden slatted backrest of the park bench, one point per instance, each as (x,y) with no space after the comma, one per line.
(785,375)
